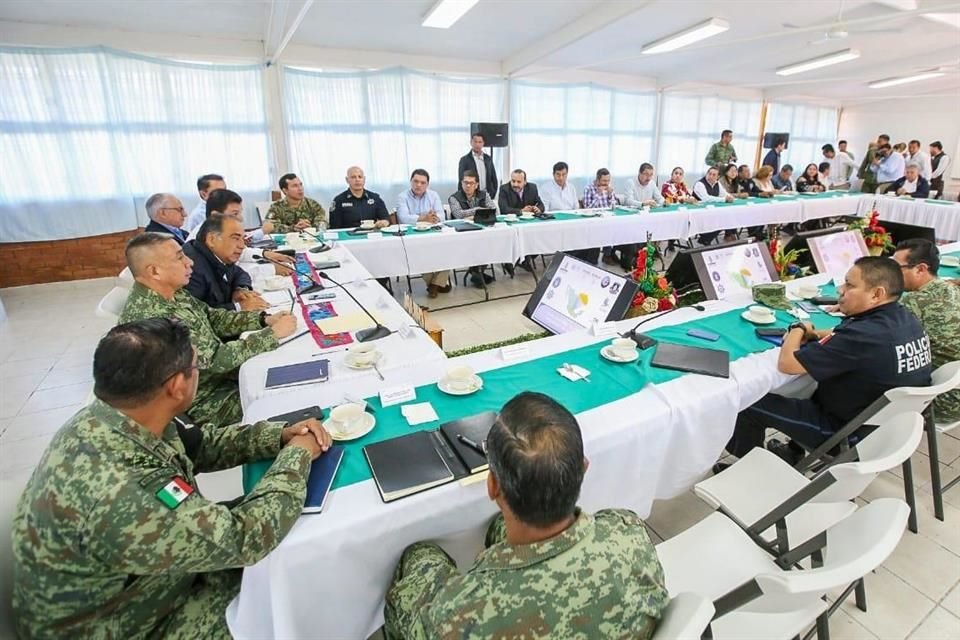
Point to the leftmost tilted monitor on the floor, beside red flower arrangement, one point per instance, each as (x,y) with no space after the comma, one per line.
(574,294)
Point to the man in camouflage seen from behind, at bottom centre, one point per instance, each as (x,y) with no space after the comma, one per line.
(549,570)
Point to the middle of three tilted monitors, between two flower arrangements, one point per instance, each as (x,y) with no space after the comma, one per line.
(723,270)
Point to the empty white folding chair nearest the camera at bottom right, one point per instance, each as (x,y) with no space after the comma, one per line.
(753,595)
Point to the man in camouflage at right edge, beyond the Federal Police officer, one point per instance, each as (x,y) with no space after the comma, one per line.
(936,303)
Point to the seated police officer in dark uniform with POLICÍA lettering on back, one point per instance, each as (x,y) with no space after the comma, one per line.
(878,346)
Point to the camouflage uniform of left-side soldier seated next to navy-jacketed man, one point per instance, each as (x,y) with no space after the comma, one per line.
(218,396)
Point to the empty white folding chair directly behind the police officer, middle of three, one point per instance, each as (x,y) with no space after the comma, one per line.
(753,488)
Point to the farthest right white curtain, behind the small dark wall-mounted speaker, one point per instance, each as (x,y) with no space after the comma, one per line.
(810,127)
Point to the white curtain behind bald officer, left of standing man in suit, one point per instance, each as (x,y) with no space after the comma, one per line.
(387,122)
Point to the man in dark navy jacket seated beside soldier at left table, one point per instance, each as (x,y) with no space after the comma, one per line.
(216,278)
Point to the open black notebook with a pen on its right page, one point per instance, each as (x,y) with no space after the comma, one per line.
(419,461)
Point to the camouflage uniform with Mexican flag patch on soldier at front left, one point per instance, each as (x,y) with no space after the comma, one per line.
(97,554)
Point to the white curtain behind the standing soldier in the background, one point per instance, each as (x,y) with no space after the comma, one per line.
(692,123)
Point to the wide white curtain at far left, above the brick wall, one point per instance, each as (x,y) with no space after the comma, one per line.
(87,134)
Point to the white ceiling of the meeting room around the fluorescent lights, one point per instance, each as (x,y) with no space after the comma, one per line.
(590,35)
